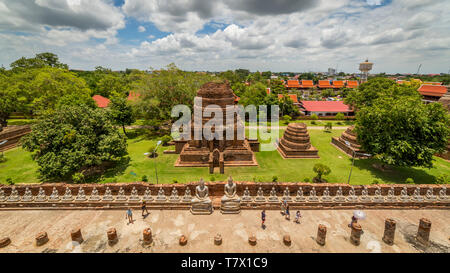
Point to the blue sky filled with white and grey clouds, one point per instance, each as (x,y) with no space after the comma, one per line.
(217,35)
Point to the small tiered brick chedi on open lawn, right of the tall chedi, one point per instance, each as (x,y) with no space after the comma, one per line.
(295,143)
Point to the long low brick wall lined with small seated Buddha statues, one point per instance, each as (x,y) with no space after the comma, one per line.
(254,195)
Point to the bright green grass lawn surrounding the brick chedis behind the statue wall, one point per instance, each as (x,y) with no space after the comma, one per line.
(20,167)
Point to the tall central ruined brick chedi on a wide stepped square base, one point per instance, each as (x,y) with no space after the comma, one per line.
(234,151)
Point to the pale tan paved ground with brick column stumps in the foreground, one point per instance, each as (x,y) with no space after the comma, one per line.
(167,226)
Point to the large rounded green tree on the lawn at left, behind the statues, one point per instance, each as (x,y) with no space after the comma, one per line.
(75,139)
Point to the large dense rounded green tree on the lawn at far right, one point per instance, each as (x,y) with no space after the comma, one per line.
(403,132)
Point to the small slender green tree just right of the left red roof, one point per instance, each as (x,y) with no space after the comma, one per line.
(120,111)
